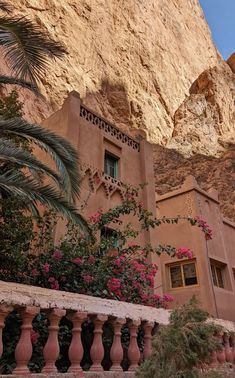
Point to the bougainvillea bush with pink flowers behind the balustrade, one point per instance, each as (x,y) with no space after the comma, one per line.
(110,266)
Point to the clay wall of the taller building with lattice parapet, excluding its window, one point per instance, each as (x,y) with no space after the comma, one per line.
(91,140)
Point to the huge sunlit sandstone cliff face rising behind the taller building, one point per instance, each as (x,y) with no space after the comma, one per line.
(132,61)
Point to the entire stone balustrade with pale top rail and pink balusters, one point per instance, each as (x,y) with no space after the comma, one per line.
(134,320)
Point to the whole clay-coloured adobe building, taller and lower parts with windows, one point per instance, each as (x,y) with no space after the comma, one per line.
(109,159)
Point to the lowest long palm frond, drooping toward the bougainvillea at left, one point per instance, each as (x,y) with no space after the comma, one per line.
(30,192)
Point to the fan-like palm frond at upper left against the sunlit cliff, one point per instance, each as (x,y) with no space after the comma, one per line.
(27,47)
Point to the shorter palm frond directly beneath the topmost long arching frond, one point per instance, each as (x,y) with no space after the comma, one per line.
(9,152)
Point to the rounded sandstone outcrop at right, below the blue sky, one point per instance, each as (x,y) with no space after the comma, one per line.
(205,122)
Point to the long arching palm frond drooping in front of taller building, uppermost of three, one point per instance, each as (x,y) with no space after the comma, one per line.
(61,151)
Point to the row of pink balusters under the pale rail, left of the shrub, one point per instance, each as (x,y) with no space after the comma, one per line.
(51,350)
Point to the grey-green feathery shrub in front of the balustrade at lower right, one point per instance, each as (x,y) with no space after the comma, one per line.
(185,343)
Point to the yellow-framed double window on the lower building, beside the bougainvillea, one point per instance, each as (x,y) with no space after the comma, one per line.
(183,274)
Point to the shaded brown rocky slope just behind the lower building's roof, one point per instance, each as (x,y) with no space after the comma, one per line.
(171,168)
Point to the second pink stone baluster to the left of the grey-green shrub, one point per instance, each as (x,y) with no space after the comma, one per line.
(133,349)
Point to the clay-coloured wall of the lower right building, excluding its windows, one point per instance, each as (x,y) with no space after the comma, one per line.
(190,200)
